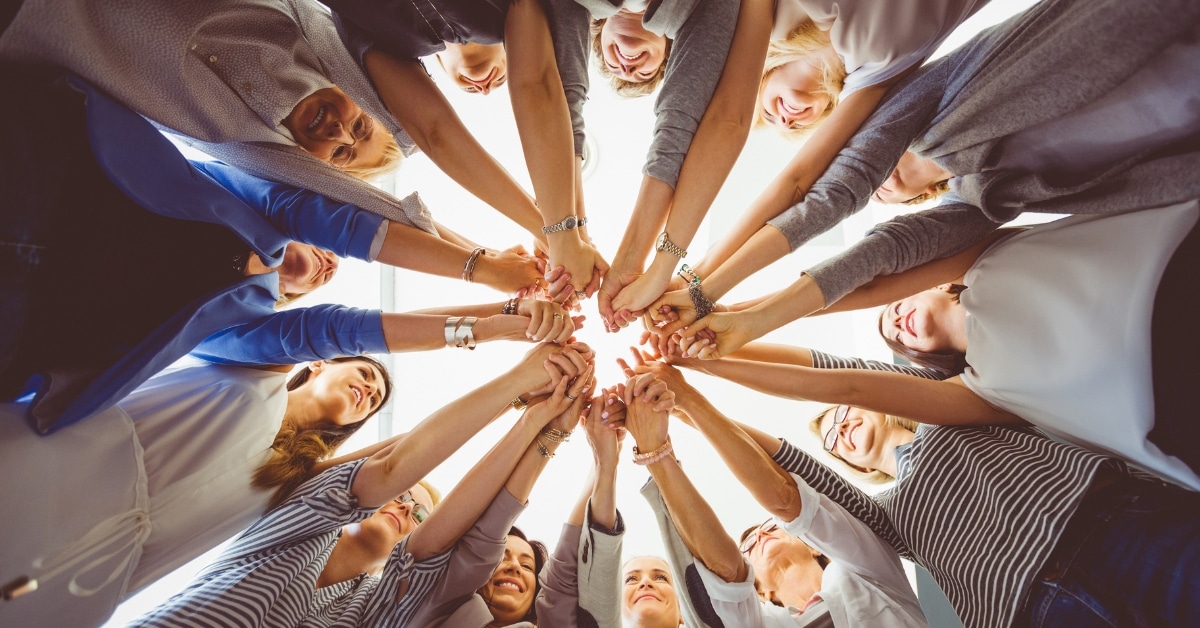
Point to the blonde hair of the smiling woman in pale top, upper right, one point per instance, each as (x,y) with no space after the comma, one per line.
(806,43)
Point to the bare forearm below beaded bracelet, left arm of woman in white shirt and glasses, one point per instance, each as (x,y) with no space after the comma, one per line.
(697,523)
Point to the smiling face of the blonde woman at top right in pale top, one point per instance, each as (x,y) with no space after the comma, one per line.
(793,95)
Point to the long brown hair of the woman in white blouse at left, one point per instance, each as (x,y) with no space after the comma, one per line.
(297,451)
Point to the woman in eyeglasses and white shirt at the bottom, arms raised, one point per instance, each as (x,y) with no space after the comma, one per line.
(813,560)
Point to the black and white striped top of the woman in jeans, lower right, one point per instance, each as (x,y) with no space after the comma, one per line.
(982,509)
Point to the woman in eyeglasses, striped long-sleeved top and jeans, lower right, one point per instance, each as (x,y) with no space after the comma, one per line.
(1017,529)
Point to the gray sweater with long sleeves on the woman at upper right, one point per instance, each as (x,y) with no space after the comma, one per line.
(1027,73)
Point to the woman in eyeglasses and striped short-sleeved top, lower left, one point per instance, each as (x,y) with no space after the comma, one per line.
(339,551)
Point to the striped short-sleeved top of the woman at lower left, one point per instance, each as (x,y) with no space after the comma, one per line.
(268,577)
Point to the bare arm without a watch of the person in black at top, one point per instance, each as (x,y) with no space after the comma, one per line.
(434,125)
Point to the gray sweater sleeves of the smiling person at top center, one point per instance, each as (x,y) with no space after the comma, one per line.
(701,33)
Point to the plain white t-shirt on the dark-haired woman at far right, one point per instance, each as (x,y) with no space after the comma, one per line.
(1059,324)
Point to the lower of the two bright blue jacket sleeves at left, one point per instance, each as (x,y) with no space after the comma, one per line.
(304,334)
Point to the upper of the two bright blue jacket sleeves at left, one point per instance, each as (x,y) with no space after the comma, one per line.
(299,214)
